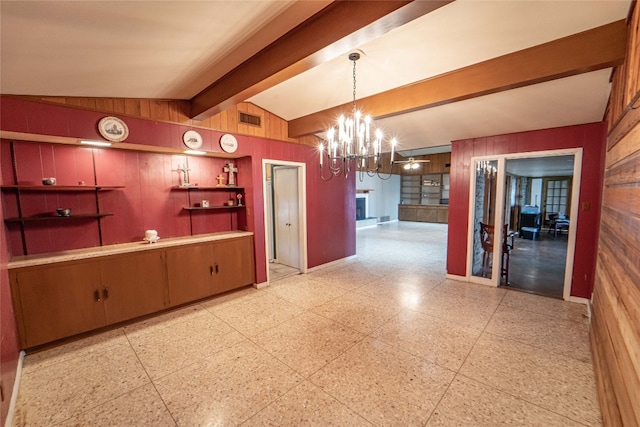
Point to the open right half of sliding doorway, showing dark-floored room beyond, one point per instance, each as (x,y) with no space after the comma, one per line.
(538,200)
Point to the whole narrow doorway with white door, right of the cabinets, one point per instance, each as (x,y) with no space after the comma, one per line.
(285,218)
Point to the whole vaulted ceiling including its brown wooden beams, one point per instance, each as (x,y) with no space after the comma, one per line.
(430,71)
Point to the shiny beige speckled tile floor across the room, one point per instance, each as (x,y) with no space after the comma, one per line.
(383,339)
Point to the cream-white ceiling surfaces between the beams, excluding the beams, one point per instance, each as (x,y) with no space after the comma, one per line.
(175,49)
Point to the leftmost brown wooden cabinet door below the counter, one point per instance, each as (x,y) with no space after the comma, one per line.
(59,301)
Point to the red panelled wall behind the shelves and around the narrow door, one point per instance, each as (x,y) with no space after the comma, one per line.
(146,201)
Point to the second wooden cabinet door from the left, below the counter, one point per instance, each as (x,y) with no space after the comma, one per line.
(133,285)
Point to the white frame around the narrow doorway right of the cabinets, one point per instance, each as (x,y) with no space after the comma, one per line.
(302,209)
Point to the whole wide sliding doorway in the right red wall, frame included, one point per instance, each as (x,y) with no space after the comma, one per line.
(522,222)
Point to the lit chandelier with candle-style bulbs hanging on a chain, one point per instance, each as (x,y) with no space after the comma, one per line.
(354,143)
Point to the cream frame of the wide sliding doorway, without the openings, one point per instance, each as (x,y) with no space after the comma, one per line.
(499,209)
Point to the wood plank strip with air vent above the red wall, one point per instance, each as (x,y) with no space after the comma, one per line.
(176,111)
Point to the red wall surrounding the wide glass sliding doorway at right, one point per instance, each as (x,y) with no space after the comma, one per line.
(590,137)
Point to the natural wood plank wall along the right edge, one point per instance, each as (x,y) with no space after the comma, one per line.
(615,330)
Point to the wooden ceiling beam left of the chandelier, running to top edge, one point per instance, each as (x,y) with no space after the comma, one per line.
(341,26)
